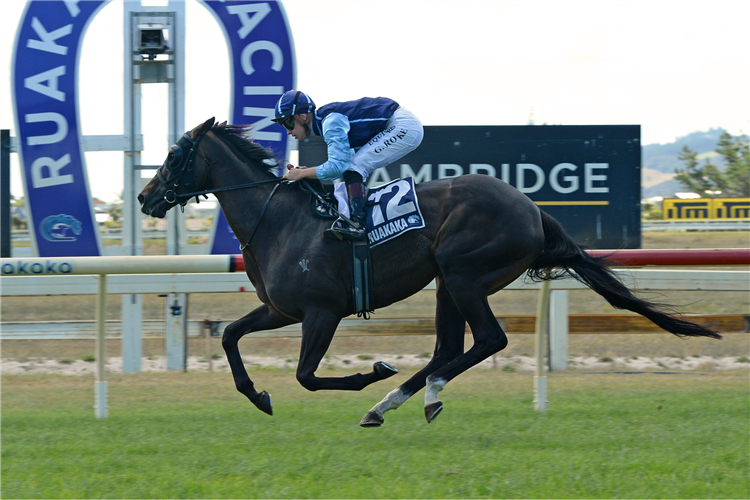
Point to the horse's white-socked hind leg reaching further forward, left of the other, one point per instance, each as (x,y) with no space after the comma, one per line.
(450,328)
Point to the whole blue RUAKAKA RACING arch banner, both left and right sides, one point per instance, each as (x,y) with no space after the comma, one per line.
(45,72)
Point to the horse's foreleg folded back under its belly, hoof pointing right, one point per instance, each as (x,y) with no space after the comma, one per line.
(318,327)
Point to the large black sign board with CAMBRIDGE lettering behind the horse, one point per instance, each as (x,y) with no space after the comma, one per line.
(588,177)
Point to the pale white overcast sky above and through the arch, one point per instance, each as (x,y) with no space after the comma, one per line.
(673,67)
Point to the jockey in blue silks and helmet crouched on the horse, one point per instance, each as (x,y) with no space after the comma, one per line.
(361,136)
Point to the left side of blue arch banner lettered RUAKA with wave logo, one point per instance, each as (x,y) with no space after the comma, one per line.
(44,80)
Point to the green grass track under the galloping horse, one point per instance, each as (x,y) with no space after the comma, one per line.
(193,436)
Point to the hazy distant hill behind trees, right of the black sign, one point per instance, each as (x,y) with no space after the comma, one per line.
(660,161)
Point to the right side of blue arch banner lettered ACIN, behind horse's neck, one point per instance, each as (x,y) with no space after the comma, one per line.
(263,66)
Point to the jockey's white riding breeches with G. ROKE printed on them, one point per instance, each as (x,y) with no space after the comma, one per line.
(402,134)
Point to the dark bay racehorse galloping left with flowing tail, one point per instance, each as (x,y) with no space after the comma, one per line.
(480,235)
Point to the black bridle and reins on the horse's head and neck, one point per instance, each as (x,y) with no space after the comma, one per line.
(180,168)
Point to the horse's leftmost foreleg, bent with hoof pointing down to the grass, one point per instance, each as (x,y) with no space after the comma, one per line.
(262,318)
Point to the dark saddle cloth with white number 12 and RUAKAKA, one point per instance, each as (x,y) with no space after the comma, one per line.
(392,209)
